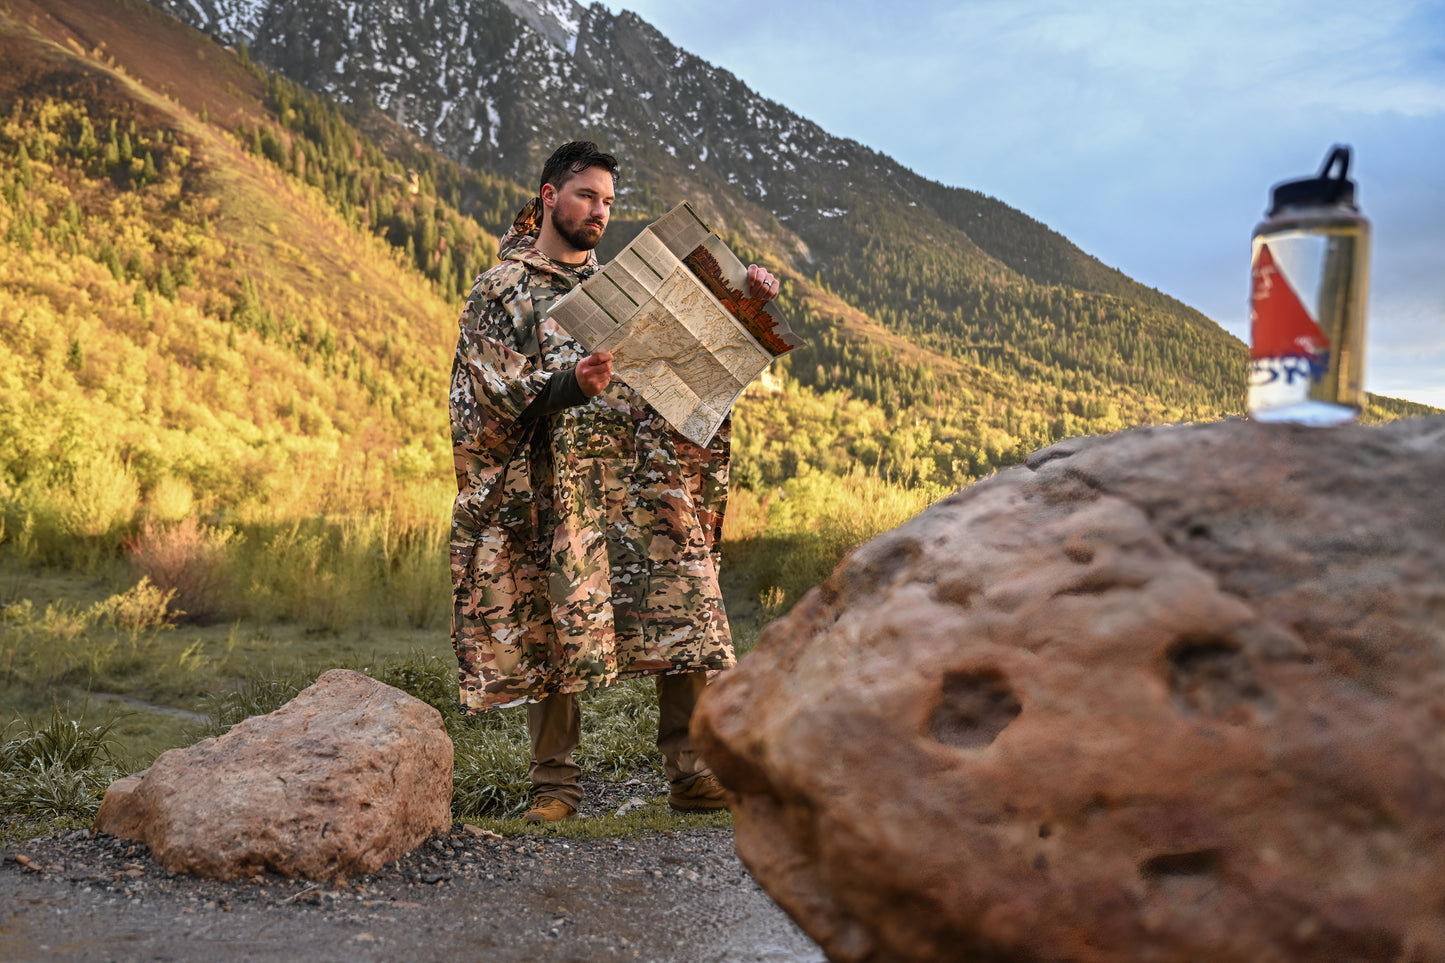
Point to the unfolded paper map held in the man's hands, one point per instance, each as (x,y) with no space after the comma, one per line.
(674,312)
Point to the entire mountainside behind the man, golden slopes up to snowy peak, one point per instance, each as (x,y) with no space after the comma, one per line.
(245,278)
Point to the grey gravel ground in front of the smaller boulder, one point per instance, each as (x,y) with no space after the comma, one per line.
(463,896)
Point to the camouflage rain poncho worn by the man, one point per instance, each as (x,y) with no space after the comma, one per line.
(585,543)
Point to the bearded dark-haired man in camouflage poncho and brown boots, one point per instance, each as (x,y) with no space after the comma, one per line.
(586,533)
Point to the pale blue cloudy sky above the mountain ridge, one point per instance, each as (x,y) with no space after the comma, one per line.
(1149,134)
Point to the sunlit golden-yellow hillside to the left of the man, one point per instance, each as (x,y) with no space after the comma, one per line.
(178,307)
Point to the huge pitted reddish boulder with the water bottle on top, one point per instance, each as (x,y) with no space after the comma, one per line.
(1173,695)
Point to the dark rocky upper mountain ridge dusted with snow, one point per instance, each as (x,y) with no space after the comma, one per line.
(493,85)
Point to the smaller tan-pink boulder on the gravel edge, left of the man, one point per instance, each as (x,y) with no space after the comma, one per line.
(345,779)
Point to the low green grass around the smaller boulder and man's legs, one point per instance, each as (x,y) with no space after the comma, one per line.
(100,737)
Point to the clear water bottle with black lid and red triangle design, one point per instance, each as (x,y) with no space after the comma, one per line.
(1311,274)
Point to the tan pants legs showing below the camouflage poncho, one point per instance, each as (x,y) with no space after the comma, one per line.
(556,727)
